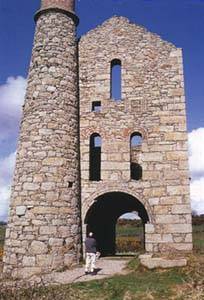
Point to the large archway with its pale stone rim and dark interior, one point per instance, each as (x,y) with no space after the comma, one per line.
(103,210)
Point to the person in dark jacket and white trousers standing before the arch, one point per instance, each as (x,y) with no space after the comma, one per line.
(90,247)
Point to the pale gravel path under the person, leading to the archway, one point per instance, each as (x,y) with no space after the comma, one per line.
(106,267)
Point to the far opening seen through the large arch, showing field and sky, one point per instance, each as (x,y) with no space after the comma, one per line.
(129,234)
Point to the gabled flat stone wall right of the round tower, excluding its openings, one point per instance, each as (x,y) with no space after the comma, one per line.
(153,104)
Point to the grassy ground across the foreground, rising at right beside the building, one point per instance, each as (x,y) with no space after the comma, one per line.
(140,283)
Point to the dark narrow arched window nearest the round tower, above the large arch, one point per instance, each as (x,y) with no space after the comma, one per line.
(95,157)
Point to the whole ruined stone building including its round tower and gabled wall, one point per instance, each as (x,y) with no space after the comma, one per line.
(85,155)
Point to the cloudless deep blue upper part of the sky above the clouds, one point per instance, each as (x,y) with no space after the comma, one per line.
(178,21)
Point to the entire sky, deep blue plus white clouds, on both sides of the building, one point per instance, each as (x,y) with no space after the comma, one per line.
(178,21)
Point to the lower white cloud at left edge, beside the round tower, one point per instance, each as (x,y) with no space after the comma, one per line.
(6,172)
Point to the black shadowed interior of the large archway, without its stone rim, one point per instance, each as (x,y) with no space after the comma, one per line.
(102,216)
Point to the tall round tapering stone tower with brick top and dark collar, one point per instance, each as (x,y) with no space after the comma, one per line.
(43,231)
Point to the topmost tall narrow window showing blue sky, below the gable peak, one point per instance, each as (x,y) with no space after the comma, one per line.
(115,79)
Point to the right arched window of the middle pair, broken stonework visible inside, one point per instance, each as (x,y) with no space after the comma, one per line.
(135,148)
